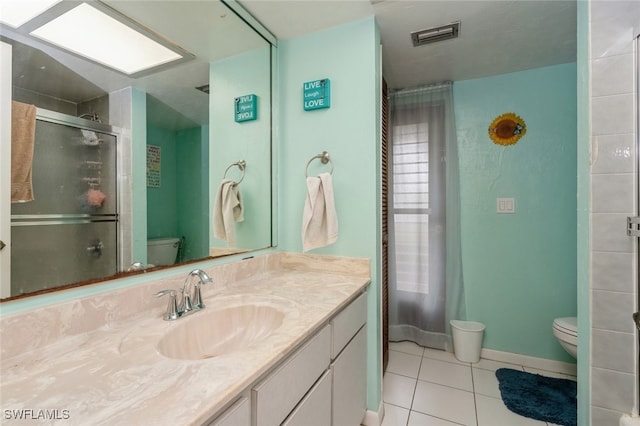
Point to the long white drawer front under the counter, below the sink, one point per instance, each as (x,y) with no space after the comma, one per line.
(275,397)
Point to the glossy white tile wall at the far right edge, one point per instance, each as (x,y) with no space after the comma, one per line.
(613,291)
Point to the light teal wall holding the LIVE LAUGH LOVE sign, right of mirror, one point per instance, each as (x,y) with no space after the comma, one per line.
(349,56)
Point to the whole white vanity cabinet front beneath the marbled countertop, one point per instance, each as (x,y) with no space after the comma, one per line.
(323,383)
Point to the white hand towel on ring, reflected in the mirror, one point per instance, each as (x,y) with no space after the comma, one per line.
(227,210)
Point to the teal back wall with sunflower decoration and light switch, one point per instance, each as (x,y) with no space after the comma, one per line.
(519,269)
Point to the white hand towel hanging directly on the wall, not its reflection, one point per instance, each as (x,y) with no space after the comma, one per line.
(319,219)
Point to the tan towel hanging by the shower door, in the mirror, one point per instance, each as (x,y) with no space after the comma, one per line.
(23,131)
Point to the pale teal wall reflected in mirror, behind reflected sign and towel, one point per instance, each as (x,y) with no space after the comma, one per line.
(250,141)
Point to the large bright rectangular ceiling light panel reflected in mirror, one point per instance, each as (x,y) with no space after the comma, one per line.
(91,33)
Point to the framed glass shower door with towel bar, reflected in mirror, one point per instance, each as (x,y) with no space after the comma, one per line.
(69,232)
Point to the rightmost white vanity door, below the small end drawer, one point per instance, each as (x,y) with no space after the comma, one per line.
(350,382)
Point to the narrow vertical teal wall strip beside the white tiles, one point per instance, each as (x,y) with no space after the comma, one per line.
(583,220)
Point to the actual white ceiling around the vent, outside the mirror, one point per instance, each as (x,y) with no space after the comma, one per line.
(496,37)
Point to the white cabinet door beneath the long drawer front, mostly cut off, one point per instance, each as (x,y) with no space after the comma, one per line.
(315,408)
